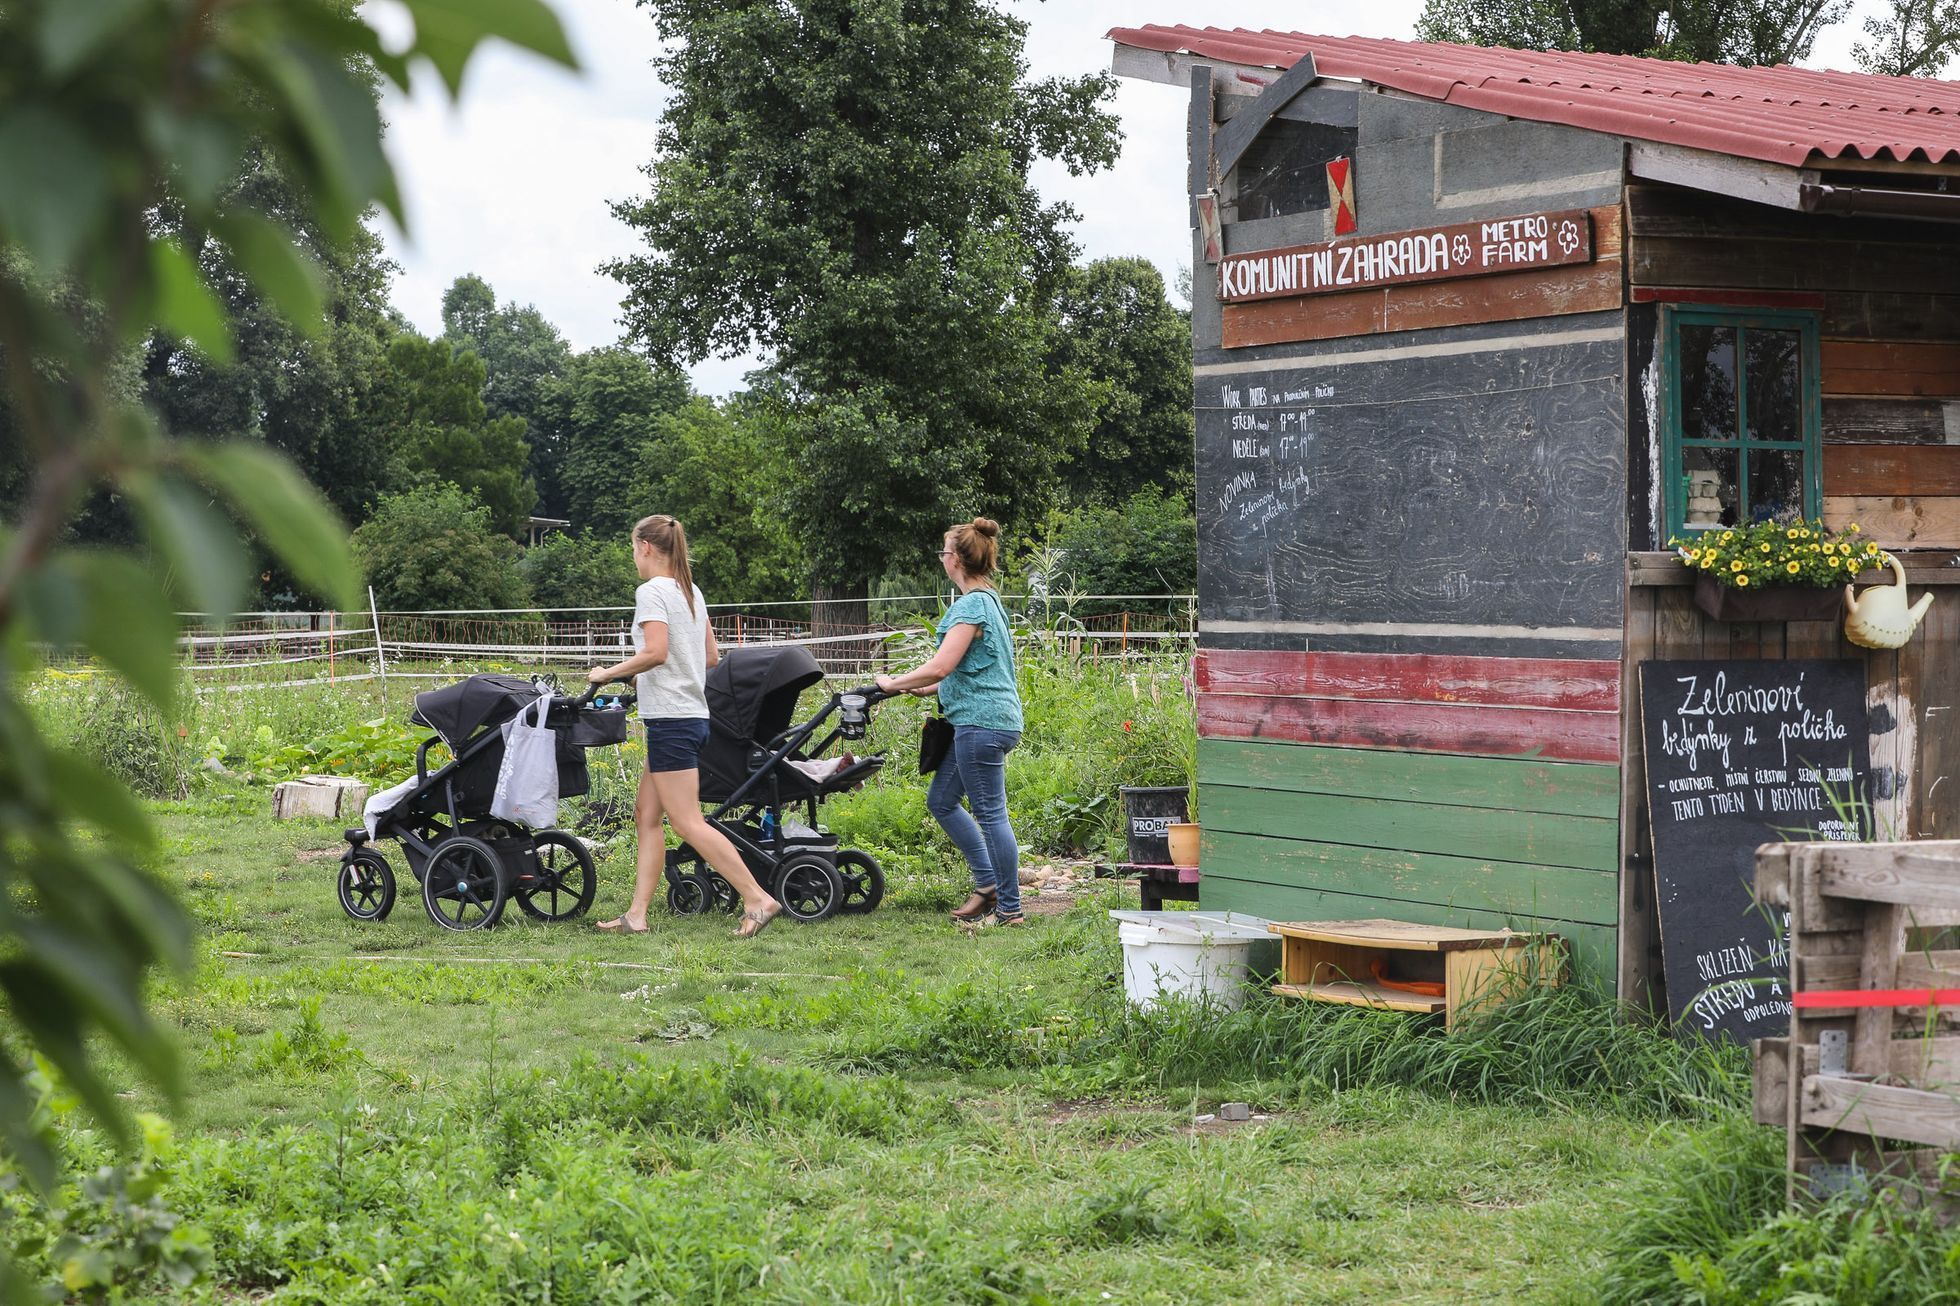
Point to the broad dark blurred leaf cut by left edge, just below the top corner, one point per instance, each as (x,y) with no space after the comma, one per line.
(56,187)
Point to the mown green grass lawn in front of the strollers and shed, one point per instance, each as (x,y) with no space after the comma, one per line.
(544,1113)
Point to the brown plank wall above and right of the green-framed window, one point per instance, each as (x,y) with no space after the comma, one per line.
(1888,295)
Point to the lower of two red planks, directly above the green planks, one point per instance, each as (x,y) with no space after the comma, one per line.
(1414,727)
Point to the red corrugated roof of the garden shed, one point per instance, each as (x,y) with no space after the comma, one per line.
(1779,115)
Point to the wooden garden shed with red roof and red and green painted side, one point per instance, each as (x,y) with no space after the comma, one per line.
(1463,325)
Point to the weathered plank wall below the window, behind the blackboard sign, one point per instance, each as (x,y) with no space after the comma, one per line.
(1914,699)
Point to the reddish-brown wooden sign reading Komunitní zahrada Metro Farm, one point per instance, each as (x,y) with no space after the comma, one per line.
(1432,254)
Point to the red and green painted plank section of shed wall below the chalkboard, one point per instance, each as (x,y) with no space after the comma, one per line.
(1473,791)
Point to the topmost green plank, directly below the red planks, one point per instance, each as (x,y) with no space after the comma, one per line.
(1506,783)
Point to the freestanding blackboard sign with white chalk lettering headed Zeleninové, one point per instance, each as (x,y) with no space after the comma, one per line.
(1743,754)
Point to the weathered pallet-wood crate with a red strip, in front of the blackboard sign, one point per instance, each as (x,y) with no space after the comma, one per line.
(1851,1081)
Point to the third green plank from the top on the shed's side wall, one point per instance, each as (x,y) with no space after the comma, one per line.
(1416,878)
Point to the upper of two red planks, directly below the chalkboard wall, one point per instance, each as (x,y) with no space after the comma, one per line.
(1583,685)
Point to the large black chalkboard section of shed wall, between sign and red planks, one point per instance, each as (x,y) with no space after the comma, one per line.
(1387,491)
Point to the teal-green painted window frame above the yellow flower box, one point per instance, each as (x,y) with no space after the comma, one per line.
(1810,383)
